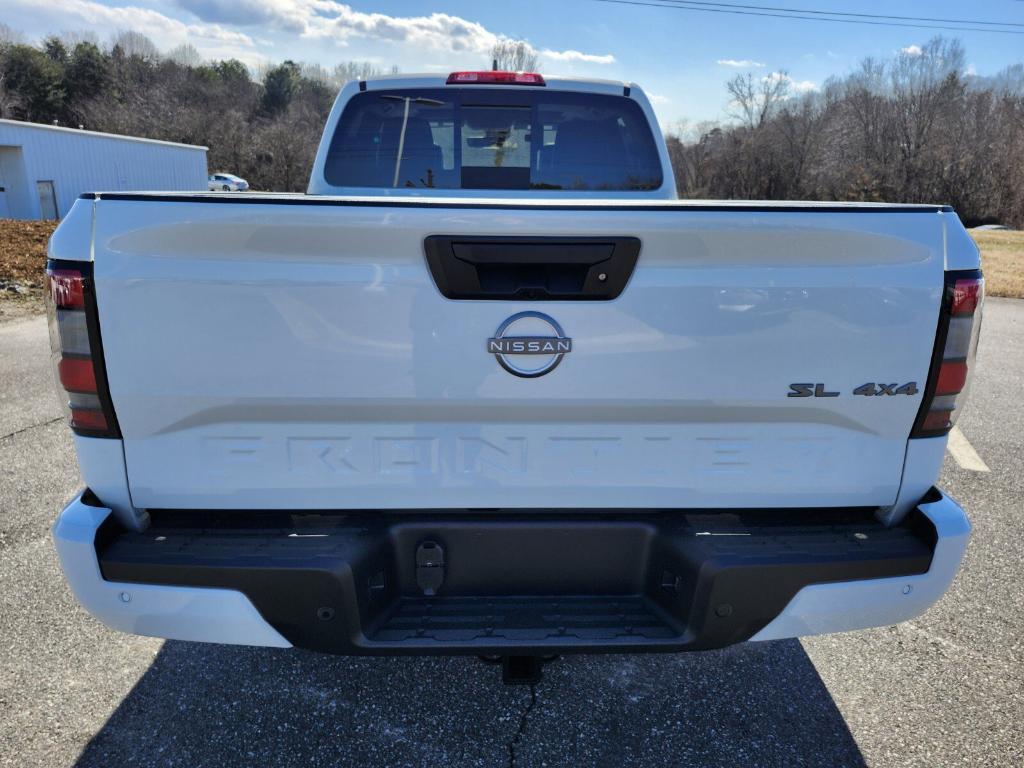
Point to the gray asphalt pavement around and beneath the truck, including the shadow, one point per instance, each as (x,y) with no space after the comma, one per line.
(945,690)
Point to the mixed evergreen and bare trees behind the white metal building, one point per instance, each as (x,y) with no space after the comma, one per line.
(264,126)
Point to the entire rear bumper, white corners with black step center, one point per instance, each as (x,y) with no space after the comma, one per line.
(509,584)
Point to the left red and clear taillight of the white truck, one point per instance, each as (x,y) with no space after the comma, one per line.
(75,347)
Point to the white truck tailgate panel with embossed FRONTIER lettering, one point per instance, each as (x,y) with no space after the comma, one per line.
(290,353)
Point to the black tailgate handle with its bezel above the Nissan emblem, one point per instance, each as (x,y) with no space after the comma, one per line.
(531,269)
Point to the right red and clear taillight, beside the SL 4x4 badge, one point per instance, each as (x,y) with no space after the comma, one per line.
(956,349)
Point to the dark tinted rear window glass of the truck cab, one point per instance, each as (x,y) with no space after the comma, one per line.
(493,139)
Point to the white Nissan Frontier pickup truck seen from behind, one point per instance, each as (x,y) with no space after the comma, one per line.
(491,389)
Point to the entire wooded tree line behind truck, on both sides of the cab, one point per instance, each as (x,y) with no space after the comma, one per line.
(916,129)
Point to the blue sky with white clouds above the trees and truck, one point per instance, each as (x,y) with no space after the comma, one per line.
(681,58)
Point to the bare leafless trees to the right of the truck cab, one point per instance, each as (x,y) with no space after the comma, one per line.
(916,129)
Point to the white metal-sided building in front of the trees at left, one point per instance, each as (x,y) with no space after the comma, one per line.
(45,168)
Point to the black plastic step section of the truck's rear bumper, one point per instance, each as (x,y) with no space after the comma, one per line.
(519,583)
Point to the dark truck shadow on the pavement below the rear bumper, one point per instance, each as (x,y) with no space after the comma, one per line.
(761,704)
